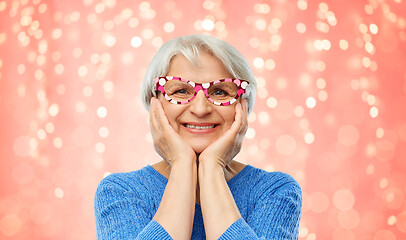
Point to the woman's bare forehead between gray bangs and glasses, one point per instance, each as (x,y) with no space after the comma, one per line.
(207,68)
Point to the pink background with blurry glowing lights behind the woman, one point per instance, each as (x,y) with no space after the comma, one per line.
(330,111)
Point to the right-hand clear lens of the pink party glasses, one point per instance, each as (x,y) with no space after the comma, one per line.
(223,92)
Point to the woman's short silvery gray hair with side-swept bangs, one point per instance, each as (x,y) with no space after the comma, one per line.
(189,46)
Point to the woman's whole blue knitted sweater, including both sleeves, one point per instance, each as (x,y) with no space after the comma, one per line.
(269,202)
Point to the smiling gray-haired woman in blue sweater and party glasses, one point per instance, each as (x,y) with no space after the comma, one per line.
(198,90)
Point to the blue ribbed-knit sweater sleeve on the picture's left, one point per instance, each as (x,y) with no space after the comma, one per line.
(122,213)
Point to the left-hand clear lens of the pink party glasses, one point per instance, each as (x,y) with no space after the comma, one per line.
(179,90)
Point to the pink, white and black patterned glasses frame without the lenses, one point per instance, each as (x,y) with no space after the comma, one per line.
(241,84)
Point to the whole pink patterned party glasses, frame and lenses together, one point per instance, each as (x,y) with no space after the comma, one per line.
(221,92)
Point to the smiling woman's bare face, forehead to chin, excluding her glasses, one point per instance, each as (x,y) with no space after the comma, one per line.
(199,112)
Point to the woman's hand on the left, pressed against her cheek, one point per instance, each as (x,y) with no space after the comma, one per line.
(167,143)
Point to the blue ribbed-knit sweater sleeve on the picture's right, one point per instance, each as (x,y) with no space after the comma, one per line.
(275,215)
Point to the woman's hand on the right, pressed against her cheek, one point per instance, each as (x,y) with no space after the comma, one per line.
(225,148)
